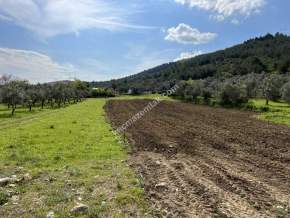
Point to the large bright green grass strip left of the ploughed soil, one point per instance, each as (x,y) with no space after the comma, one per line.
(72,156)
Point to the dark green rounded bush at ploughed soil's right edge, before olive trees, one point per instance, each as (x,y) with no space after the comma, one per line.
(232,95)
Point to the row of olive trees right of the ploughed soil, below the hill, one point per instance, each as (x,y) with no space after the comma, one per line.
(237,90)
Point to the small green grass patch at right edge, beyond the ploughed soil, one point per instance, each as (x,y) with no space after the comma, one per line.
(279,112)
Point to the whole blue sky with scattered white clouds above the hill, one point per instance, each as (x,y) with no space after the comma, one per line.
(47,40)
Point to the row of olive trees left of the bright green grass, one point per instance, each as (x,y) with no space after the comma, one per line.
(16,93)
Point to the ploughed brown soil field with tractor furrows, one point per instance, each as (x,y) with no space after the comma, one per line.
(198,161)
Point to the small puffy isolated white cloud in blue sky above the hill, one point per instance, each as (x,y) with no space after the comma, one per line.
(185,34)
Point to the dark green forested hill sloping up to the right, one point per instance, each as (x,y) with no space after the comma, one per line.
(270,53)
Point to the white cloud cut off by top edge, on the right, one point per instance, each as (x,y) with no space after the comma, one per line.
(226,8)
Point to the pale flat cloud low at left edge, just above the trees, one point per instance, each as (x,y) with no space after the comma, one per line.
(33,66)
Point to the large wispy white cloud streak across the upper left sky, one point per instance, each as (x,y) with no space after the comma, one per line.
(48,18)
